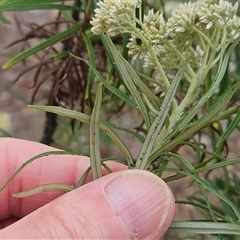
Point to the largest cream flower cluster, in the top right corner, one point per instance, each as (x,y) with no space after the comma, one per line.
(194,29)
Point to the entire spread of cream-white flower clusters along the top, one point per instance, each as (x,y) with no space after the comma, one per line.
(192,32)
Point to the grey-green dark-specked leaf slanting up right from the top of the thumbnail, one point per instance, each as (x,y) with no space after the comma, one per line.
(159,120)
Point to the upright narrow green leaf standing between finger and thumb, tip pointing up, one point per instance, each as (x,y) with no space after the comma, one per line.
(95,156)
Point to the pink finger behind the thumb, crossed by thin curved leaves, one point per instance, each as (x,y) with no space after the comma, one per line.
(65,169)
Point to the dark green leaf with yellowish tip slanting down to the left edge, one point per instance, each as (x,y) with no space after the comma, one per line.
(50,41)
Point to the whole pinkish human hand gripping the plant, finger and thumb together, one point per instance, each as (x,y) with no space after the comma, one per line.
(129,204)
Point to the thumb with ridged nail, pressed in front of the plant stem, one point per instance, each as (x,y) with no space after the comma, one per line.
(124,205)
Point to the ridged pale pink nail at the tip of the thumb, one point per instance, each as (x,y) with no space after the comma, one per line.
(143,202)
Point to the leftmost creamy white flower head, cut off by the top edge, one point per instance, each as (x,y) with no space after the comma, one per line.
(111,16)
